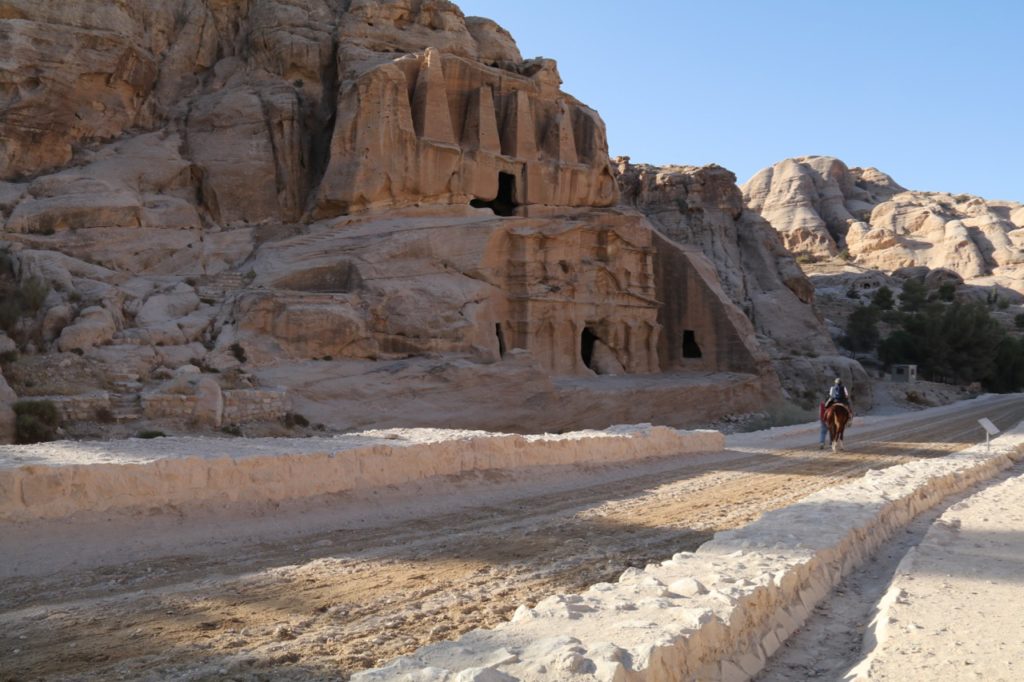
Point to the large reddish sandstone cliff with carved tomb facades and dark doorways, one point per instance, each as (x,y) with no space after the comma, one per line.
(378,206)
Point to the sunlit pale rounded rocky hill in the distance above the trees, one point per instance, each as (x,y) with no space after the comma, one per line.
(822,208)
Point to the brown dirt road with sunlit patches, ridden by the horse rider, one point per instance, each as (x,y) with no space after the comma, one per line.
(320,606)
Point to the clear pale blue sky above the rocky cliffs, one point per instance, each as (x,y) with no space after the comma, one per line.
(931,93)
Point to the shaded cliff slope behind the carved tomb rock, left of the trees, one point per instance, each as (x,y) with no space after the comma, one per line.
(703,209)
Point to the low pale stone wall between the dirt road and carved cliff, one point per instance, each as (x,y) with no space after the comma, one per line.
(63,479)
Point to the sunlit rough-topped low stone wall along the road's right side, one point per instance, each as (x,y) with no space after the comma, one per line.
(717,614)
